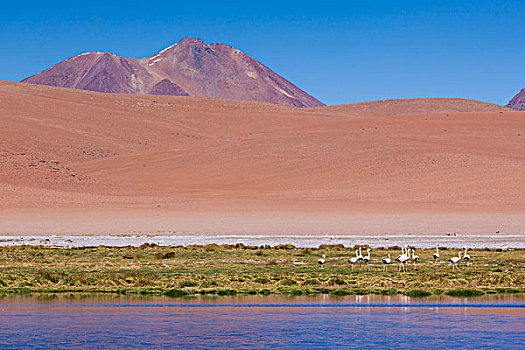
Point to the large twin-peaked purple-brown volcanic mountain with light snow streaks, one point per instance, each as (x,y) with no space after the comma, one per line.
(188,68)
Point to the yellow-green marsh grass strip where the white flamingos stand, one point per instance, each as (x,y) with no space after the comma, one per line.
(237,269)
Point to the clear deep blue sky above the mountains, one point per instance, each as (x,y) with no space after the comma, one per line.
(338,51)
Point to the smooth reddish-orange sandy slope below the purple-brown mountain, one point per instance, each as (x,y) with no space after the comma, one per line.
(429,165)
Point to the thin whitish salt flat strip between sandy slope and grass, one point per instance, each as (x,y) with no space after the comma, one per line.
(458,241)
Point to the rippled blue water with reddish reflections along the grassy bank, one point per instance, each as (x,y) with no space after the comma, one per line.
(276,323)
